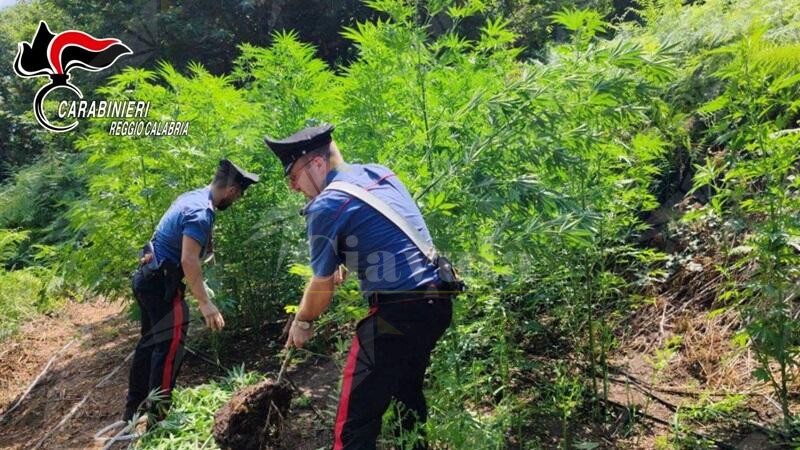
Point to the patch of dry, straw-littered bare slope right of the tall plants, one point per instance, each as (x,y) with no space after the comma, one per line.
(680,354)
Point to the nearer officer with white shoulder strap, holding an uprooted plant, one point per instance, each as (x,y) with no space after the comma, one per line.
(408,311)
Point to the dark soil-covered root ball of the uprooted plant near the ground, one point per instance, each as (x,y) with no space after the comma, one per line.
(253,418)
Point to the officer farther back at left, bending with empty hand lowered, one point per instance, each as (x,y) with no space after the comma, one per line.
(181,240)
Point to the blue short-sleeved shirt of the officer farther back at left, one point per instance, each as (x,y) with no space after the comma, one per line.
(191,214)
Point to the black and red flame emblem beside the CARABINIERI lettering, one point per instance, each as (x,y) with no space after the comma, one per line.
(55,55)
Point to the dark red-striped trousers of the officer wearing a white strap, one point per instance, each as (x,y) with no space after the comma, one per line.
(387,361)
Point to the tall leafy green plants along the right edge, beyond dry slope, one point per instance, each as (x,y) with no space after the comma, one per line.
(755,187)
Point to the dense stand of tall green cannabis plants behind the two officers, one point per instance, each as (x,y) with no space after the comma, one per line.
(517,167)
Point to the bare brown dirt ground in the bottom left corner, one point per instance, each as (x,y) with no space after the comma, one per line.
(85,342)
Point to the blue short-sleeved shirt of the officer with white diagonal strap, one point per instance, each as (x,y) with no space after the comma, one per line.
(344,230)
